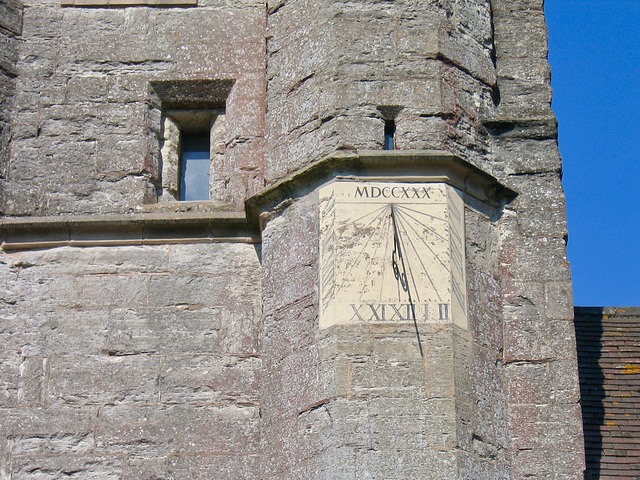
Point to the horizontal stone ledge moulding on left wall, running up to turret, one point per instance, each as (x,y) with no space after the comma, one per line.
(26,233)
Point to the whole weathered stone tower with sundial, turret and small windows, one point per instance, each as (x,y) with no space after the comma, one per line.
(292,239)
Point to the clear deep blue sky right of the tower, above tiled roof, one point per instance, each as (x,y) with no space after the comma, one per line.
(594,51)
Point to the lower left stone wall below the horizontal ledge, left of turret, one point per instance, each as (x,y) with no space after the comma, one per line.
(130,362)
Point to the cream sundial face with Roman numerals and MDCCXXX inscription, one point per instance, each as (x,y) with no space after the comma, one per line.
(391,253)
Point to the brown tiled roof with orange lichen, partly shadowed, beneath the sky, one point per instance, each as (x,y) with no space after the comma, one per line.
(609,366)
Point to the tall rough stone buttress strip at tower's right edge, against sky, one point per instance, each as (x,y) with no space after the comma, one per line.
(539,339)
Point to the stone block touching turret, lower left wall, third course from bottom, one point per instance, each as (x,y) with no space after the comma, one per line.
(210,380)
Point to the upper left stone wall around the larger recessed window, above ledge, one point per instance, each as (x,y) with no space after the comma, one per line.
(85,137)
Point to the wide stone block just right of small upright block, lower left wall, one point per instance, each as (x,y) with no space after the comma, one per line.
(87,380)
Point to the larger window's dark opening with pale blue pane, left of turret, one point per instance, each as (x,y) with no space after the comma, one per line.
(194,166)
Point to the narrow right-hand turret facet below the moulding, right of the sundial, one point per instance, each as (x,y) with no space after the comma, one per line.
(481,389)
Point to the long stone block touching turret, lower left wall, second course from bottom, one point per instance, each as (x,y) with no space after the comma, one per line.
(145,430)
